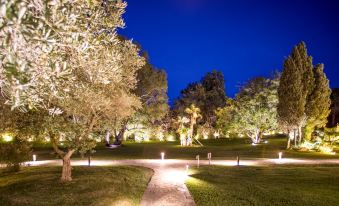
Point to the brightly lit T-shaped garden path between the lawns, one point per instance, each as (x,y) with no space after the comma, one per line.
(167,186)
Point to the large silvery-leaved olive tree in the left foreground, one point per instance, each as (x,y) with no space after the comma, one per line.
(65,57)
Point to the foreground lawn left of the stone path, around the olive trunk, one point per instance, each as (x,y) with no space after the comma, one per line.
(120,185)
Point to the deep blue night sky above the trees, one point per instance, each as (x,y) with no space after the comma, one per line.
(243,39)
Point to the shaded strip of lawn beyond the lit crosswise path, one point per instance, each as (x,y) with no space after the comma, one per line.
(220,148)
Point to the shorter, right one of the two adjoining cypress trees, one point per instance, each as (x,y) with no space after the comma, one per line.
(318,106)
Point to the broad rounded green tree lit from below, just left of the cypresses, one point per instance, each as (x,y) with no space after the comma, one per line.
(254,109)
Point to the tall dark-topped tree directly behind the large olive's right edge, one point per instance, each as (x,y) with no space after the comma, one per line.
(151,88)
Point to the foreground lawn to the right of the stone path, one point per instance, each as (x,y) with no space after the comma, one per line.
(280,186)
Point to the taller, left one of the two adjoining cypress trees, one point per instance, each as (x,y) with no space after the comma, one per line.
(296,83)
